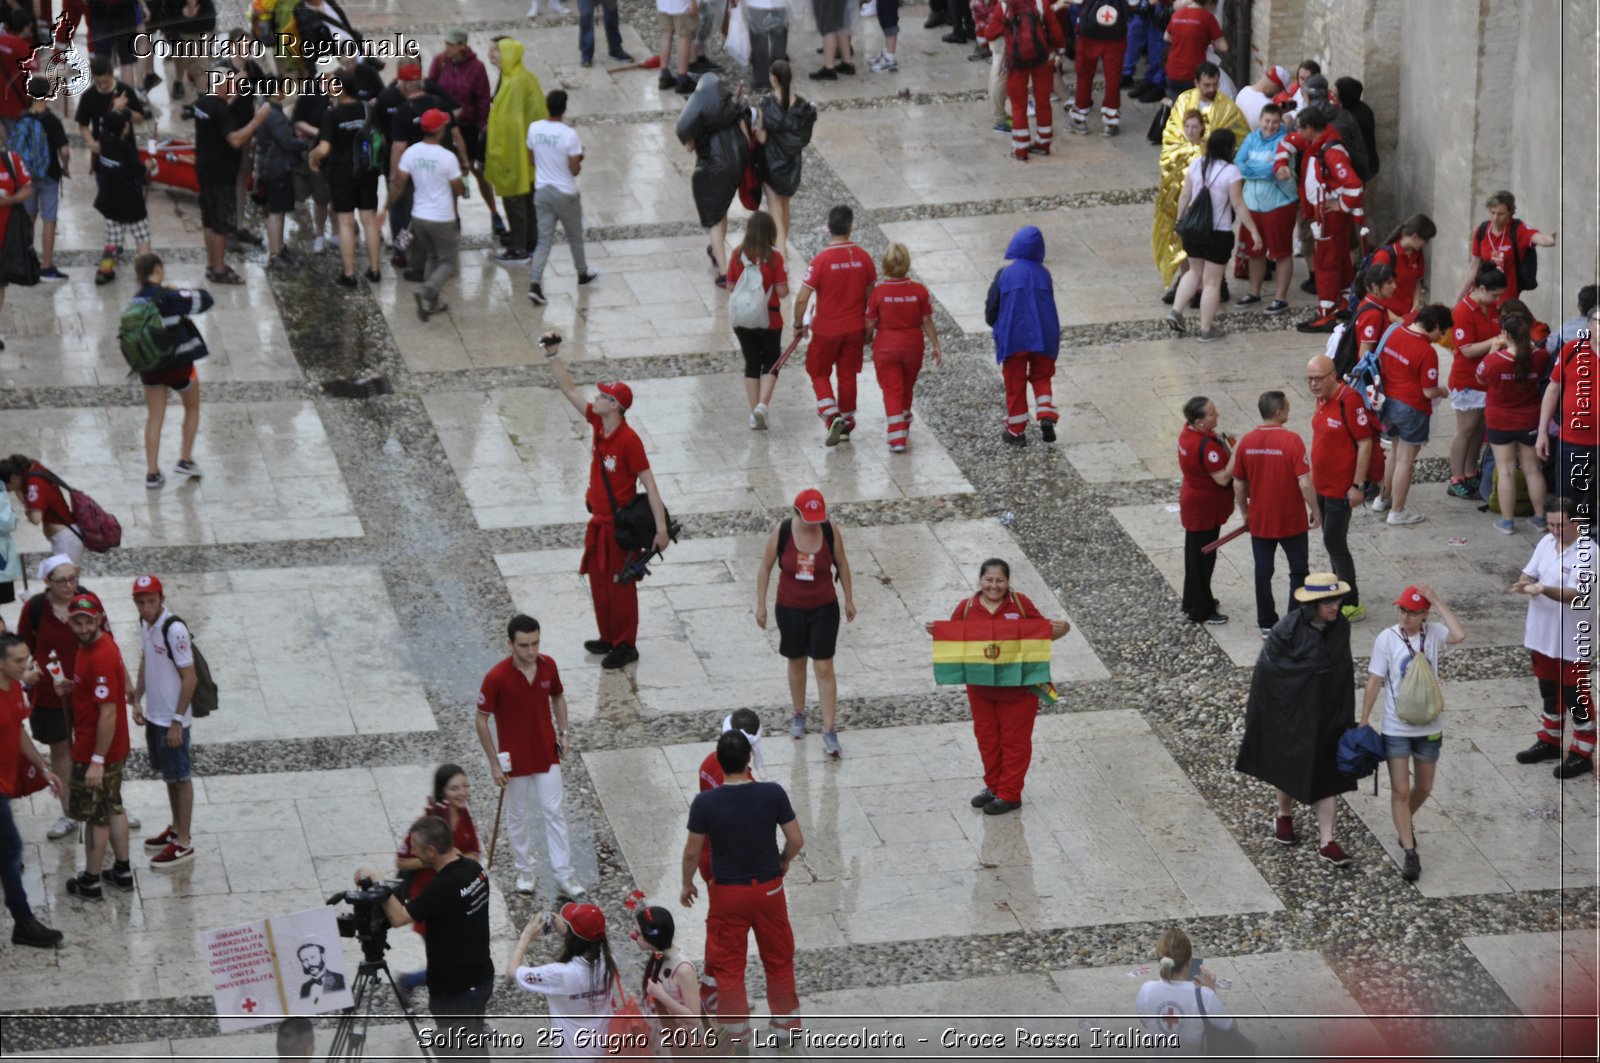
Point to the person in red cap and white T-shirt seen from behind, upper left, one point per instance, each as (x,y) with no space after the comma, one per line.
(436,174)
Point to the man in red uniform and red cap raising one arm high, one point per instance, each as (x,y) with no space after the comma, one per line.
(618,468)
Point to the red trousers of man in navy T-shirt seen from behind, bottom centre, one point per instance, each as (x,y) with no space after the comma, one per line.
(734,913)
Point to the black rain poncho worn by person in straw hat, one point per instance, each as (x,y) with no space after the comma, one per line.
(1302,702)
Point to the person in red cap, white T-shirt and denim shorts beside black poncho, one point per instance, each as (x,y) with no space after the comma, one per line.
(1412,748)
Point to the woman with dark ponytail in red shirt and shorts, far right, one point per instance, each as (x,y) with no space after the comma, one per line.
(1513,385)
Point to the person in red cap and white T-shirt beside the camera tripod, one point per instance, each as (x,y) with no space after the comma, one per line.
(578,984)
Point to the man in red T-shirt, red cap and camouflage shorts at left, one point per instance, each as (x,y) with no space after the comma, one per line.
(100,747)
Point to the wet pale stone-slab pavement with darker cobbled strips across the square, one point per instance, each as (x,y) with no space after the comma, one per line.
(350,566)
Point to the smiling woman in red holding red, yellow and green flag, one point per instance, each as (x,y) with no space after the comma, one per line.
(1002,638)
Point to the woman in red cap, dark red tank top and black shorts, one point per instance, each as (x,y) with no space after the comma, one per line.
(810,555)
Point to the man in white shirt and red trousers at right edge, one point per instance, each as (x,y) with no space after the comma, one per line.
(1559,582)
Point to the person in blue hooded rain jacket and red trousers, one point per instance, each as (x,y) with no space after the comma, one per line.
(1022,310)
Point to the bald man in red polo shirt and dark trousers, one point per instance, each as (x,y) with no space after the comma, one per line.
(1345,457)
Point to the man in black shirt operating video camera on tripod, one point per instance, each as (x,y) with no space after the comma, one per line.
(457,910)
